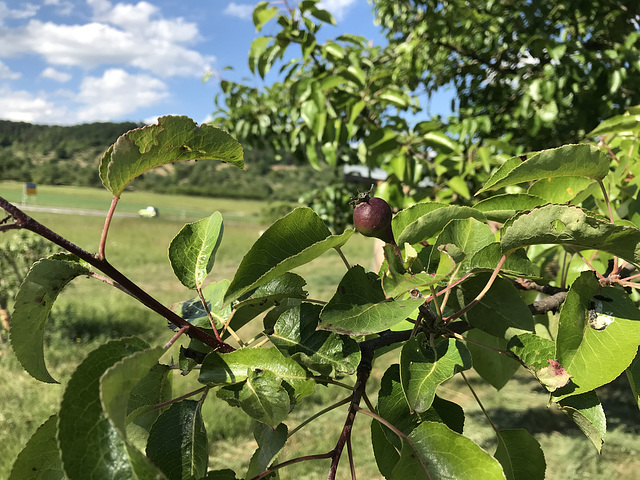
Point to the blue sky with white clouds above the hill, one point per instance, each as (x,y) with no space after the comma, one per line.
(76,61)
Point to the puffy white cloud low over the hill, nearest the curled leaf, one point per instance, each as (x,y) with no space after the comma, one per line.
(117,93)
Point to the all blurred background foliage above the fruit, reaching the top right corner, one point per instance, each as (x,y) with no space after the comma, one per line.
(527,76)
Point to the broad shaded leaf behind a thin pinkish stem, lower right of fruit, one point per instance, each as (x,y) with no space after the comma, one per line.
(501,312)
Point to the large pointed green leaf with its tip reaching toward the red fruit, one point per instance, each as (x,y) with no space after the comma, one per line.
(292,241)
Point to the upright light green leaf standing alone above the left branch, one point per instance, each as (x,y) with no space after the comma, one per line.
(192,252)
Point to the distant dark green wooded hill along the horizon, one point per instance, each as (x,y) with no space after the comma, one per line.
(69,155)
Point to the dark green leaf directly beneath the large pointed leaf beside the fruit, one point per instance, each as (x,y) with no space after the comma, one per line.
(288,285)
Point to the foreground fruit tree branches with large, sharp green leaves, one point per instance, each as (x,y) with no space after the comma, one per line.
(449,297)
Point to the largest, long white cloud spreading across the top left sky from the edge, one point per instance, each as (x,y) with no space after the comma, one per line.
(133,35)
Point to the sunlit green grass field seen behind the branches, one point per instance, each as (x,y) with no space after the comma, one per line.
(89,313)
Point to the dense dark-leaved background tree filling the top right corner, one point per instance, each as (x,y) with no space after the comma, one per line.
(545,73)
